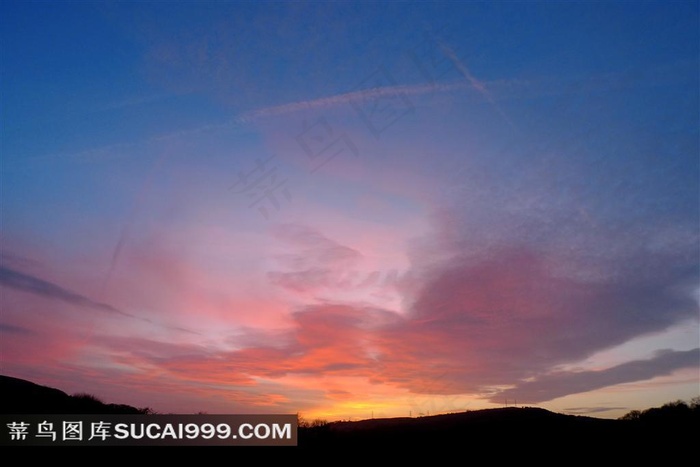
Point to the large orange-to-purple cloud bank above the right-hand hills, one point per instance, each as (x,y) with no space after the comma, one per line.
(475,325)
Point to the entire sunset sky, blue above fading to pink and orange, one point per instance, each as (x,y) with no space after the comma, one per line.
(352,209)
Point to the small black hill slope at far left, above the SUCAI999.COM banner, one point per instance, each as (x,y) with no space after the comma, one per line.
(24,397)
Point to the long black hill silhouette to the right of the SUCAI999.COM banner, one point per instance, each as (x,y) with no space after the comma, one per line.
(527,428)
